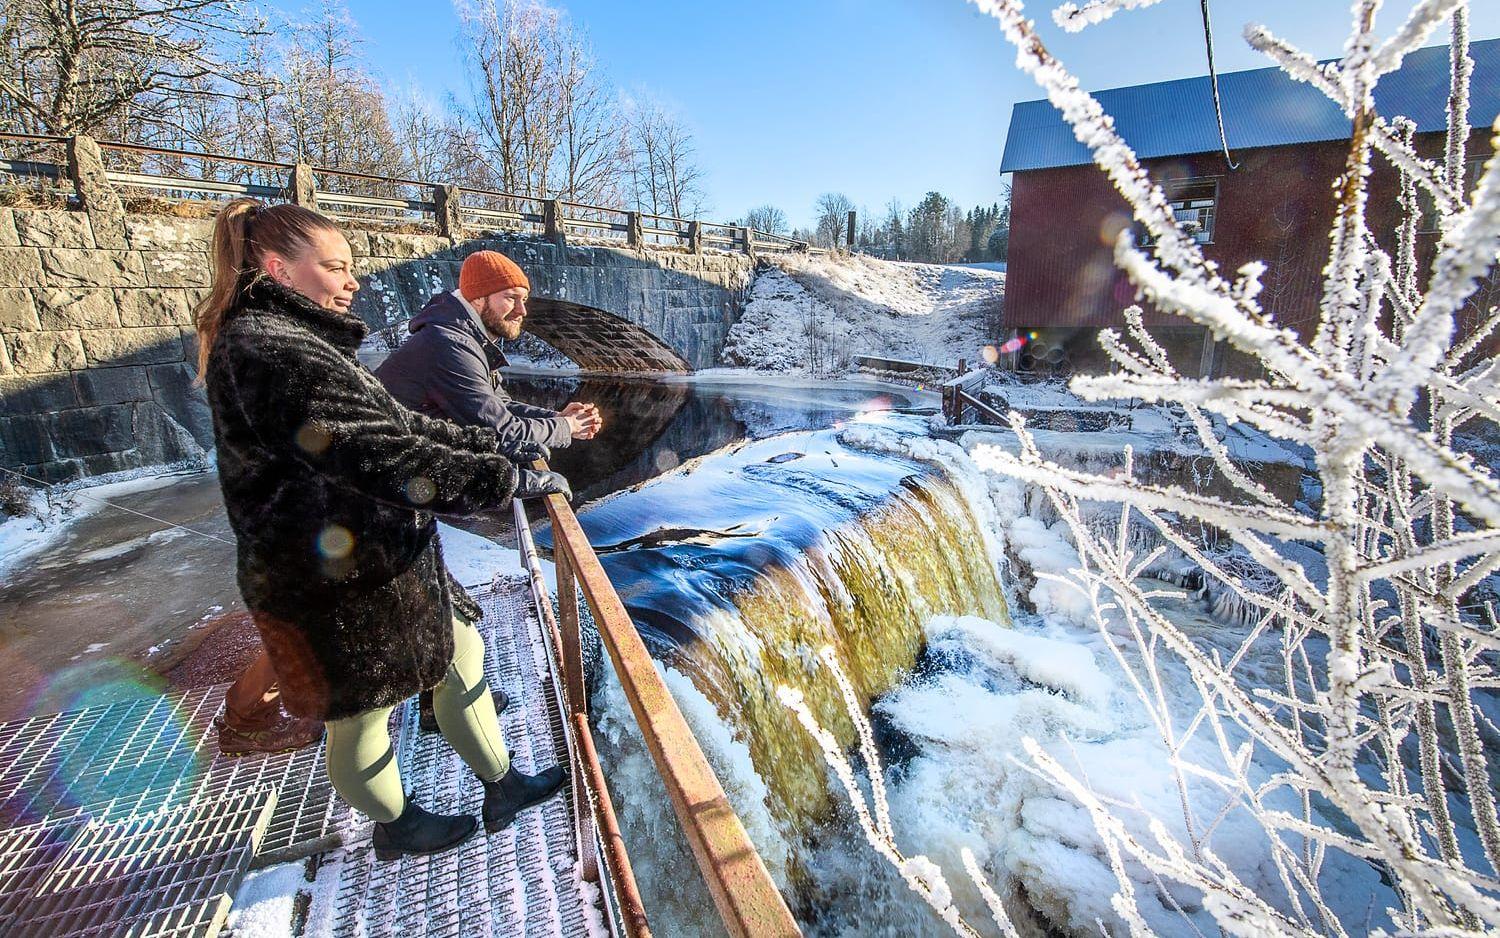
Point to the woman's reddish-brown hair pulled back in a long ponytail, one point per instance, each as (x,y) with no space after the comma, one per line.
(245,230)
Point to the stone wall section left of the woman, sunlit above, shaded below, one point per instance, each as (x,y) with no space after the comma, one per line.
(95,343)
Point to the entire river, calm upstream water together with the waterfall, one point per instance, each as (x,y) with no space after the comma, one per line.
(746,525)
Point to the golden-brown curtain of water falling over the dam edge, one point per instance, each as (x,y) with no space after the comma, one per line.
(866,589)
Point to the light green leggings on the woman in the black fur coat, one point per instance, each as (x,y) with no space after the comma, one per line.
(362,763)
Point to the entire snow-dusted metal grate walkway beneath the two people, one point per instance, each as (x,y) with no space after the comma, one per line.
(127,820)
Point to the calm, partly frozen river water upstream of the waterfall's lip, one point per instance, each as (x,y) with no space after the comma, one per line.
(118,589)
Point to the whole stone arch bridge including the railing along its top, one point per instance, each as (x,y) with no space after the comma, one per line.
(97,341)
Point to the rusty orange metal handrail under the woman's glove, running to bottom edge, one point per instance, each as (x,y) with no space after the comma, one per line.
(742,886)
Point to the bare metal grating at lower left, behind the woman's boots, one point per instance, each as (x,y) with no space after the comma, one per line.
(127,820)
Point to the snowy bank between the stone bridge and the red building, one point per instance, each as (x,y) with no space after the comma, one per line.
(814,314)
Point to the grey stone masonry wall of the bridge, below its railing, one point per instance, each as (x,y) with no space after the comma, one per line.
(98,350)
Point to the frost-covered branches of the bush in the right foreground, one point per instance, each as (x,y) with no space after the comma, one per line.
(1373,744)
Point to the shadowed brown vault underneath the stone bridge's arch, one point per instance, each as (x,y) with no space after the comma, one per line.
(601,341)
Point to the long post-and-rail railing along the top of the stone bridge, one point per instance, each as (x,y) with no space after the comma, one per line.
(386,200)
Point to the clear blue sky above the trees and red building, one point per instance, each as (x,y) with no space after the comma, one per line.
(875,98)
